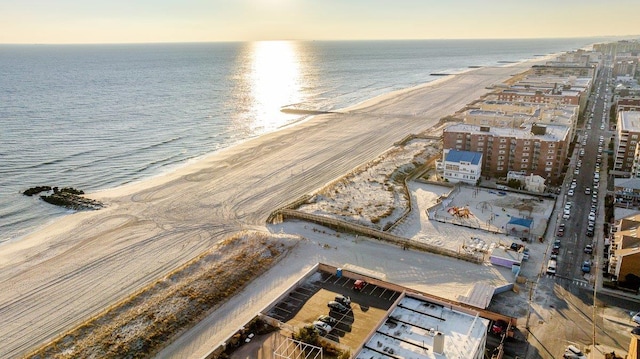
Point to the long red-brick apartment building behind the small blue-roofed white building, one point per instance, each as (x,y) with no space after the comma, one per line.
(531,148)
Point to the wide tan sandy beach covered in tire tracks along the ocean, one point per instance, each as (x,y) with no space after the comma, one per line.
(58,277)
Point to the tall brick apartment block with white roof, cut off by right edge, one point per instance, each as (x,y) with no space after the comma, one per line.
(627,156)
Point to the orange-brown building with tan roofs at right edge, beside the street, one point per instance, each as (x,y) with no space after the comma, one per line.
(624,251)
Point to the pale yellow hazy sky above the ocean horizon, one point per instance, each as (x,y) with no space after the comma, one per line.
(136,21)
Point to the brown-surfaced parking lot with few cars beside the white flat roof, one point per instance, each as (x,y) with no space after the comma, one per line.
(309,300)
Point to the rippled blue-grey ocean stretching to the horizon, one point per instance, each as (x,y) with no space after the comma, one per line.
(98,116)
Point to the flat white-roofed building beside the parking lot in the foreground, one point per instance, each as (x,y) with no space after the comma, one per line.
(419,328)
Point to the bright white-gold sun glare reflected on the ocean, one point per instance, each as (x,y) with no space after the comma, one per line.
(275,80)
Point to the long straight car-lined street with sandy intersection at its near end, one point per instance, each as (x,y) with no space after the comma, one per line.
(562,309)
